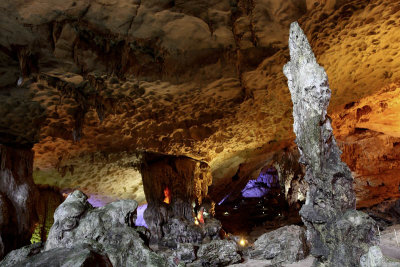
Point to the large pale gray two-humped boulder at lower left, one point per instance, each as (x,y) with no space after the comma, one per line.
(106,229)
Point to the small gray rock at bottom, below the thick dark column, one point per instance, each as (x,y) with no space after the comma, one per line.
(218,252)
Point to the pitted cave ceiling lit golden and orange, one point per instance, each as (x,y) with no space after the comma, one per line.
(91,82)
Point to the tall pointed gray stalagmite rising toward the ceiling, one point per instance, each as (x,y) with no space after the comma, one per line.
(339,235)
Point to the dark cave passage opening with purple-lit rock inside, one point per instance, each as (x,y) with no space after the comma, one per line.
(261,205)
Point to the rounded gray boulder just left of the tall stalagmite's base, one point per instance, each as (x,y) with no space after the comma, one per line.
(284,245)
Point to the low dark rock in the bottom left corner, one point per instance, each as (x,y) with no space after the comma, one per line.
(78,256)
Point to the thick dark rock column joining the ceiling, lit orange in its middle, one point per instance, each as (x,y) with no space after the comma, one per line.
(187,181)
